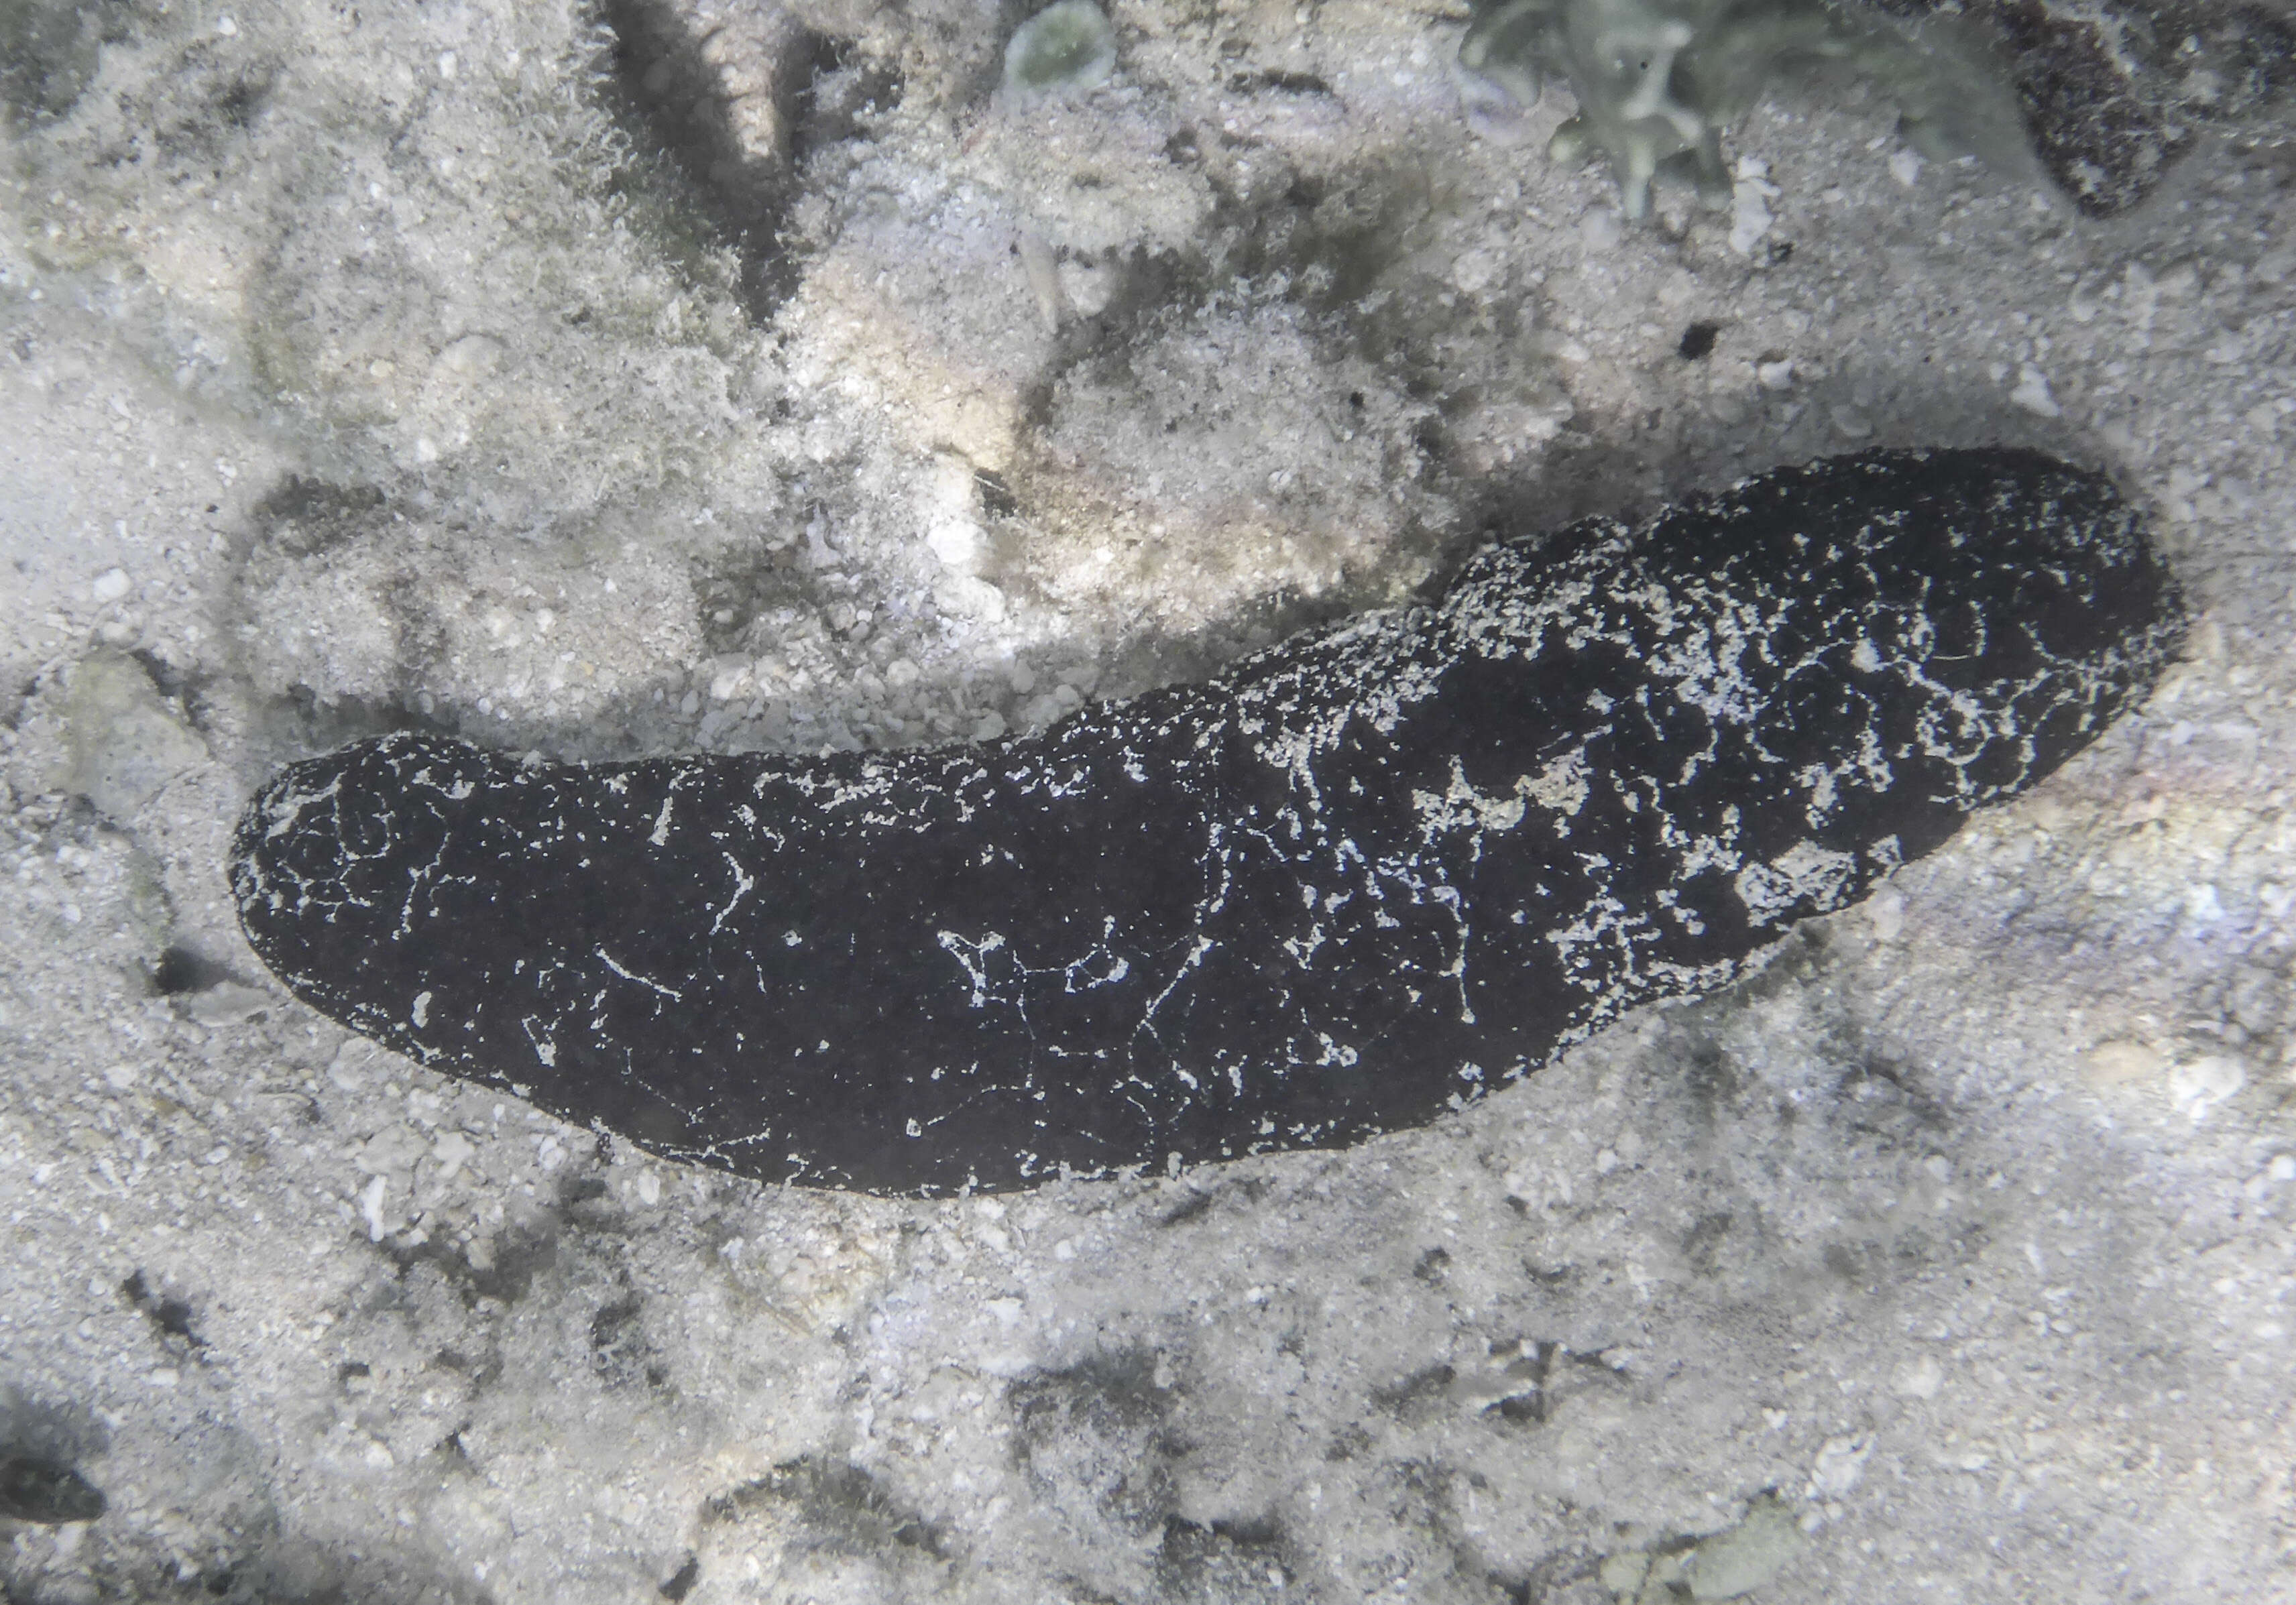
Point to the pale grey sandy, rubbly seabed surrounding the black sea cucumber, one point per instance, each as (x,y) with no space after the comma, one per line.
(672,378)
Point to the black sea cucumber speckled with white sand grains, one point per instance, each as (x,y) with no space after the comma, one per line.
(1337,890)
